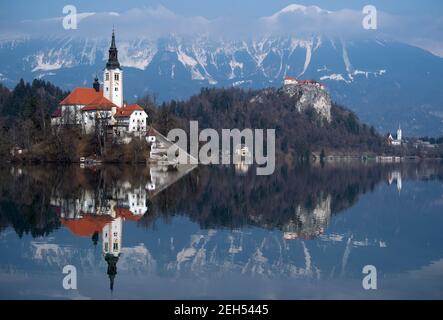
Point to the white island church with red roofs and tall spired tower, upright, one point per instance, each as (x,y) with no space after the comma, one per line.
(89,107)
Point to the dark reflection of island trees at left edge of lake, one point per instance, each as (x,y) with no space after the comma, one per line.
(26,193)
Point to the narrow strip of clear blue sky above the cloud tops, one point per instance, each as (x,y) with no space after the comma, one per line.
(25,9)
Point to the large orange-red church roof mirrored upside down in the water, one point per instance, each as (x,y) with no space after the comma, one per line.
(87,225)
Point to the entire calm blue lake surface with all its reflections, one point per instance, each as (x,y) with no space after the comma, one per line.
(221,232)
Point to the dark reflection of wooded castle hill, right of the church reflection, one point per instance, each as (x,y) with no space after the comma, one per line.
(296,200)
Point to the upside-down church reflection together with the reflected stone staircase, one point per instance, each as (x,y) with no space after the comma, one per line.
(102,211)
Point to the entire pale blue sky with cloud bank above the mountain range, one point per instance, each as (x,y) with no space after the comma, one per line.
(416,22)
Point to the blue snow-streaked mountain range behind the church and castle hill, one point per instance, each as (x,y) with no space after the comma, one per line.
(385,82)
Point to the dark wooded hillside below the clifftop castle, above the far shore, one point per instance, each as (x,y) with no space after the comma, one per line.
(297,132)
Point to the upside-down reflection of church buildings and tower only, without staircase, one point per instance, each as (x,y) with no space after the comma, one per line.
(92,214)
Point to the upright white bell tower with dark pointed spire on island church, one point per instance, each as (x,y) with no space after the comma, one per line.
(113,76)
